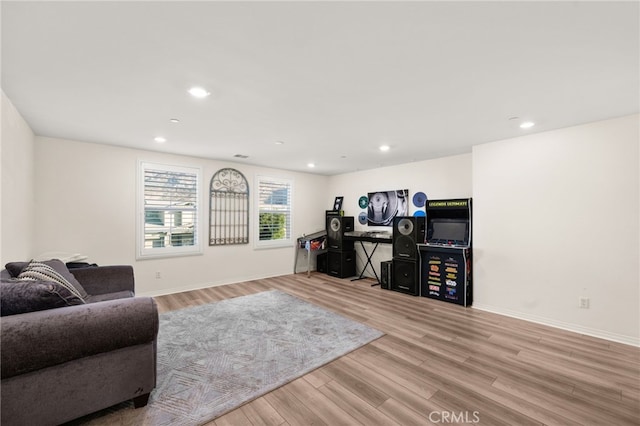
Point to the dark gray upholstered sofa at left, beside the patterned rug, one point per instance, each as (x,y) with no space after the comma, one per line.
(63,358)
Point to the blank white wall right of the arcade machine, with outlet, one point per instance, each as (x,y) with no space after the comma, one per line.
(556,218)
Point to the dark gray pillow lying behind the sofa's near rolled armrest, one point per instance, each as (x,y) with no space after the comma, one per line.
(19,296)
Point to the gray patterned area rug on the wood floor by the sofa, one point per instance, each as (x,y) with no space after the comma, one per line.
(213,358)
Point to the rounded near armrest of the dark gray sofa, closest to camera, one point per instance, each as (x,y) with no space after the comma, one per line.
(41,339)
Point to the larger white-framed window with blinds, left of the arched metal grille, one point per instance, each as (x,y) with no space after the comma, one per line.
(169,210)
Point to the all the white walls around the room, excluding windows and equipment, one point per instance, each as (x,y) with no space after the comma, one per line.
(556,217)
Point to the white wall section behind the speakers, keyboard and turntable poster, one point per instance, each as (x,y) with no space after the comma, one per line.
(447,177)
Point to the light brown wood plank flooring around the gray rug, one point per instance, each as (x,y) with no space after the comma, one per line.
(440,363)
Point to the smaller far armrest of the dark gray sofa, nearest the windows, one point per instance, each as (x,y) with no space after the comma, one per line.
(105,279)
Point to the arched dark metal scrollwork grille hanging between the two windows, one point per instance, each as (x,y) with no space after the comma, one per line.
(228,208)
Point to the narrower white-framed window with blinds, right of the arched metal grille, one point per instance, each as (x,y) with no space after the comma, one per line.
(274,212)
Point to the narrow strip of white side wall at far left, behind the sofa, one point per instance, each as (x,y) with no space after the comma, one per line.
(18,202)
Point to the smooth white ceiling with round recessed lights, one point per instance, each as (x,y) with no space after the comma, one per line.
(332,80)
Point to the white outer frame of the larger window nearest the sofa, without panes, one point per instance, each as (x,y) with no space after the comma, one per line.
(143,252)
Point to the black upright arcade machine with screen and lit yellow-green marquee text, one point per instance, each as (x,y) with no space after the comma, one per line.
(445,259)
